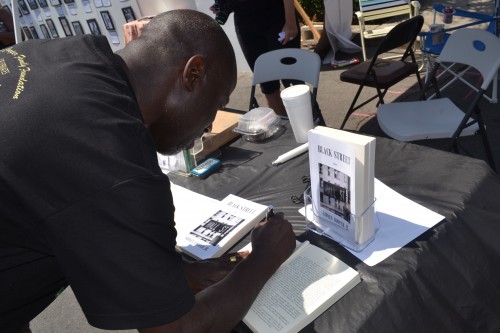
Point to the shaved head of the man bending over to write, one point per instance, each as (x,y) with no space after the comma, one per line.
(182,69)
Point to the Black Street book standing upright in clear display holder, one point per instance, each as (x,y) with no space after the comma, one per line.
(342,167)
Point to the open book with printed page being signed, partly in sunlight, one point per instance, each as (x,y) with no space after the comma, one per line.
(304,286)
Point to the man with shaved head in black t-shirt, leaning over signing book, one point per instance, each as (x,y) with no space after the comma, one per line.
(83,200)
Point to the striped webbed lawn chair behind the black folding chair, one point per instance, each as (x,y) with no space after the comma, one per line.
(370,10)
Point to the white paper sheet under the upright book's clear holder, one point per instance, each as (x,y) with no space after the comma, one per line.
(401,220)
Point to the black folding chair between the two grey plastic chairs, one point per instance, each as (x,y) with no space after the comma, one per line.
(382,74)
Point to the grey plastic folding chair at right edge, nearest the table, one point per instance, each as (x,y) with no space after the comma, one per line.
(440,117)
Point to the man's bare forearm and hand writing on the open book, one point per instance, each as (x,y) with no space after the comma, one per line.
(220,307)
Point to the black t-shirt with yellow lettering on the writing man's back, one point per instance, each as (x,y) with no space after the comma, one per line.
(80,184)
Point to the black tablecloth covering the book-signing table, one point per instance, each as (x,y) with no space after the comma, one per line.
(446,280)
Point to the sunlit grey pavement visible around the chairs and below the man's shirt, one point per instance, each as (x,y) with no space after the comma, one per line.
(334,97)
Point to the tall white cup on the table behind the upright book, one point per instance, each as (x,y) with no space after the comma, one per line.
(297,102)
